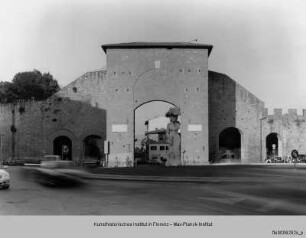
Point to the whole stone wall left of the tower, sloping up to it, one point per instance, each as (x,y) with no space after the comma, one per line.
(76,111)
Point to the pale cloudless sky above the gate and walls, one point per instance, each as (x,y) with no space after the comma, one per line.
(259,43)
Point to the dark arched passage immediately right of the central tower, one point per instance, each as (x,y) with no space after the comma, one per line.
(230,144)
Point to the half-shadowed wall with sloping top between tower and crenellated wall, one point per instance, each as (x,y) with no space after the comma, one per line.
(231,105)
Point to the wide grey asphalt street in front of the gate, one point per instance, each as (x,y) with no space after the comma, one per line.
(237,191)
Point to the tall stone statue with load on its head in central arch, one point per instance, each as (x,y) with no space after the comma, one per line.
(173,138)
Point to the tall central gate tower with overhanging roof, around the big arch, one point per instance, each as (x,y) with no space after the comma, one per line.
(138,73)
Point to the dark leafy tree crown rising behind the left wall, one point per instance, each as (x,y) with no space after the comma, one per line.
(32,85)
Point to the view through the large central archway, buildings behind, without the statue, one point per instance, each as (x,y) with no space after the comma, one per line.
(151,140)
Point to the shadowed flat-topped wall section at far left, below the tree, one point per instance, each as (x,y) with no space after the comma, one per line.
(21,127)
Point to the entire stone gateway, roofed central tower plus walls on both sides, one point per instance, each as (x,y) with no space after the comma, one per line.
(102,104)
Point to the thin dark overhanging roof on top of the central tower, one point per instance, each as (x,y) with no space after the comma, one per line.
(169,45)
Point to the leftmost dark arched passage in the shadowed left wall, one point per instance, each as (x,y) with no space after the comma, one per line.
(62,146)
